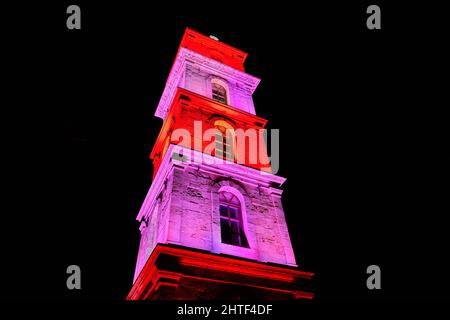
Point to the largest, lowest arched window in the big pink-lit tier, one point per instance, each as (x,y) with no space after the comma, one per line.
(231,225)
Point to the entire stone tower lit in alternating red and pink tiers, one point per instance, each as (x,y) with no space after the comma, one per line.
(212,224)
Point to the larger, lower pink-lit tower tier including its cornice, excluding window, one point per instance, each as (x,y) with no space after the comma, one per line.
(182,208)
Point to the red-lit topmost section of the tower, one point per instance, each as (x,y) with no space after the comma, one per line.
(214,49)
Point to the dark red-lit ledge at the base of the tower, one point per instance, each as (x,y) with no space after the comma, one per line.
(179,273)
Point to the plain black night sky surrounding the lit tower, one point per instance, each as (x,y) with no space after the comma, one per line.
(358,112)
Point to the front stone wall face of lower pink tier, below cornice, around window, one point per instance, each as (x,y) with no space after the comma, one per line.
(195,219)
